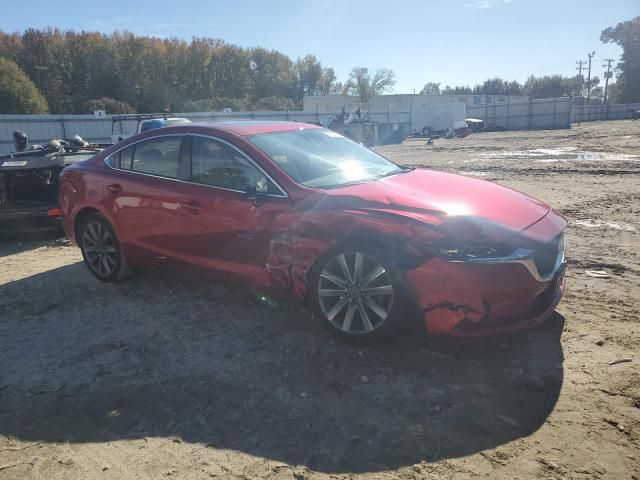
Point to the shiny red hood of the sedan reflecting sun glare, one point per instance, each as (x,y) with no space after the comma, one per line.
(445,199)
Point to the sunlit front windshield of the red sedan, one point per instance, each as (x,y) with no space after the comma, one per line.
(322,158)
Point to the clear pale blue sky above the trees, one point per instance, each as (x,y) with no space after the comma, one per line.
(453,42)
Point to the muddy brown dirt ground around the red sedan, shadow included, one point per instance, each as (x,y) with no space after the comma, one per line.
(165,377)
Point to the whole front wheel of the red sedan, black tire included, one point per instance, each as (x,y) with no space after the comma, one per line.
(356,294)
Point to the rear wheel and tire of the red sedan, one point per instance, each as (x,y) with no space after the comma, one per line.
(101,250)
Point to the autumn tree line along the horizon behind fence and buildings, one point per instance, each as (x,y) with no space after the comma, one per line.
(48,70)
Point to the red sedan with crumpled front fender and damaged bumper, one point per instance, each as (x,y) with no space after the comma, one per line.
(301,210)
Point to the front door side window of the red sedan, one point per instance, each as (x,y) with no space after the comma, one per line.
(218,165)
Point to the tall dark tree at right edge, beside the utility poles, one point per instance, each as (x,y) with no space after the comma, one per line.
(627,35)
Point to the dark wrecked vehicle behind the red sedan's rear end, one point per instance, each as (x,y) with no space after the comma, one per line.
(29,184)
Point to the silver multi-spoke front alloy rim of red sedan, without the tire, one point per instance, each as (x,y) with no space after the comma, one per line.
(355,292)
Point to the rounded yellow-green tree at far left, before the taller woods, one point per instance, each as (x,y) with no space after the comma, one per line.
(18,94)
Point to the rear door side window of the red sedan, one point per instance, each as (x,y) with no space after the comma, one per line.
(157,157)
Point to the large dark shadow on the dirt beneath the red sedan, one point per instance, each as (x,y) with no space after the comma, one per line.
(163,356)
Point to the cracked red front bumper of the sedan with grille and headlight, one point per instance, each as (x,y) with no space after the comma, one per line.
(490,296)
